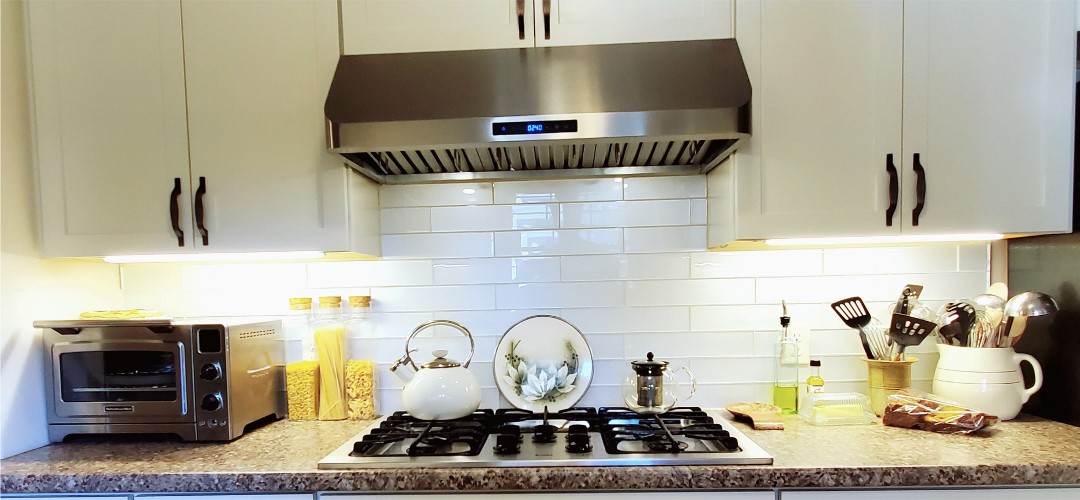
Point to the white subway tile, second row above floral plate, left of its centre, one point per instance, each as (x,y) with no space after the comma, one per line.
(499,271)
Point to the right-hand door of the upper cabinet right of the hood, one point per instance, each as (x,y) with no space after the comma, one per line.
(989,106)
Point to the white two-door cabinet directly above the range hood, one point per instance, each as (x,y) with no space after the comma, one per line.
(395,26)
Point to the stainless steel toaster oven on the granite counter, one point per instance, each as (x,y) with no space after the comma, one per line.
(200,381)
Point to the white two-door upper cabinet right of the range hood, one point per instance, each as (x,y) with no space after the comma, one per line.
(846,92)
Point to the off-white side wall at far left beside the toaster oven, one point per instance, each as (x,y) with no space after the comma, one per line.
(31,289)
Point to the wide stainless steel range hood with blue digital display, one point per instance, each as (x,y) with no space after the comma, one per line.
(666,109)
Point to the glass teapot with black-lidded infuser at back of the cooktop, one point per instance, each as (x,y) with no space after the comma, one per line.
(653,388)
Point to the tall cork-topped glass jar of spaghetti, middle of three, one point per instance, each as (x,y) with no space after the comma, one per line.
(330,347)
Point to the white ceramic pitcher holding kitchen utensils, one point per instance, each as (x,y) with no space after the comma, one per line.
(988,380)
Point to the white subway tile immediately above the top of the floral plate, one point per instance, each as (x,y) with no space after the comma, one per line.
(560,295)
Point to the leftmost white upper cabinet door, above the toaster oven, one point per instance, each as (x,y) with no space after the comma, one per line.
(111,131)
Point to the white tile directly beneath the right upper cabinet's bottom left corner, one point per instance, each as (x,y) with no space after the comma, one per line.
(757,264)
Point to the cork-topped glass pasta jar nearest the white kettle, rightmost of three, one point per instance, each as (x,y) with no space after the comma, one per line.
(360,369)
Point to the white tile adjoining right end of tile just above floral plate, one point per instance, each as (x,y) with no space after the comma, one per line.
(690,292)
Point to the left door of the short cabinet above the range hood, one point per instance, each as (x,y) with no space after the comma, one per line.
(394,26)
